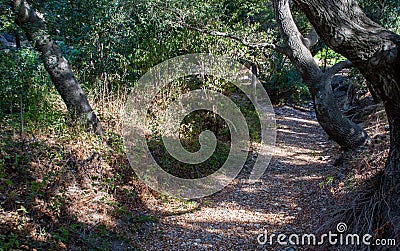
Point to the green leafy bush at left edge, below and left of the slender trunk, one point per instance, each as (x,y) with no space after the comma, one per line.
(26,90)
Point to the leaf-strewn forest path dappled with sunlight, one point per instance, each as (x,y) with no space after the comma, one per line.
(286,200)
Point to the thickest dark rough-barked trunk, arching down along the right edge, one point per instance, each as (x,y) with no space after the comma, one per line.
(374,50)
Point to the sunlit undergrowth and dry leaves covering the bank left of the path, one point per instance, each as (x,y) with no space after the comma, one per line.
(63,188)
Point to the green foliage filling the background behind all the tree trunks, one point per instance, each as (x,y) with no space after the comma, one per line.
(110,44)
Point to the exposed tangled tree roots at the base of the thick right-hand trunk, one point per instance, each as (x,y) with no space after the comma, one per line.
(365,212)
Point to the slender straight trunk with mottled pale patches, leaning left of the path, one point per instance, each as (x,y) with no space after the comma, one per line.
(56,65)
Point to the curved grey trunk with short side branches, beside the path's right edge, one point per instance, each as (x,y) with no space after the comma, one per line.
(343,131)
